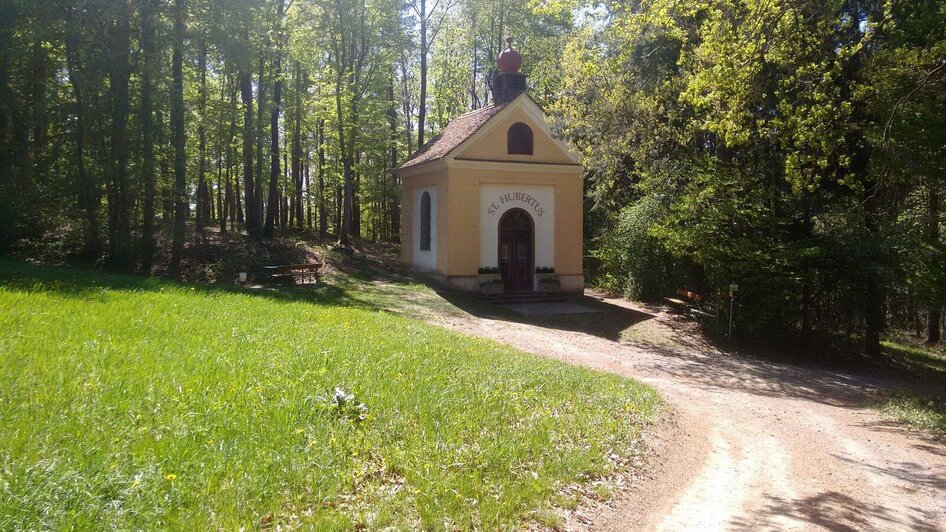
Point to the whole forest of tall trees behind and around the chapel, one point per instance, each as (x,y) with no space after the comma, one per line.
(787,155)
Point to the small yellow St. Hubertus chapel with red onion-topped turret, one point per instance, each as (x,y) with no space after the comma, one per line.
(493,204)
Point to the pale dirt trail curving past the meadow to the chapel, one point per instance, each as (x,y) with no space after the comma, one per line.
(751,444)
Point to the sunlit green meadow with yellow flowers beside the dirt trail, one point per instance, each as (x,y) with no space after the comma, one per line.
(139,403)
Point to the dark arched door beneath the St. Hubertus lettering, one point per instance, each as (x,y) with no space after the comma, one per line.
(516,250)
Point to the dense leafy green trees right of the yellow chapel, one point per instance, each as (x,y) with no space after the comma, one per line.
(789,146)
